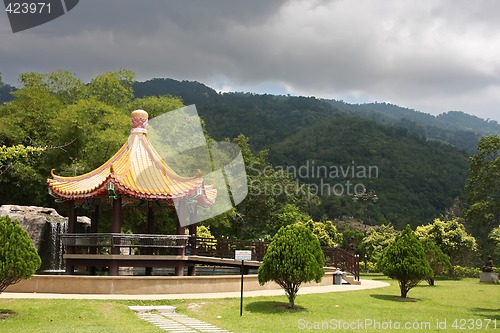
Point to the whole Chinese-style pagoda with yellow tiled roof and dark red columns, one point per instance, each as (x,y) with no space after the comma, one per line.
(135,175)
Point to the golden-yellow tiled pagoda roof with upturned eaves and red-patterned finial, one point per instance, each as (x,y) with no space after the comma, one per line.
(136,170)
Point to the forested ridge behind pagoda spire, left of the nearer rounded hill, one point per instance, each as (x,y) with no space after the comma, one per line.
(266,119)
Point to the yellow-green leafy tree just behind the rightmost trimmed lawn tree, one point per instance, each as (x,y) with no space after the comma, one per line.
(452,238)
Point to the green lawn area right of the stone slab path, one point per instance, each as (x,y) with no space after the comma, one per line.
(466,303)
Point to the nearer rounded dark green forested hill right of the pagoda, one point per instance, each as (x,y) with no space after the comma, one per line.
(414,179)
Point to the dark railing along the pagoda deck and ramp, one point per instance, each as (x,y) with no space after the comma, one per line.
(209,247)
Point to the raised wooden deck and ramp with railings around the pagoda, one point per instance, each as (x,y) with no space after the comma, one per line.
(146,250)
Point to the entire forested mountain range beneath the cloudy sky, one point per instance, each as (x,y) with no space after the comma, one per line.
(420,158)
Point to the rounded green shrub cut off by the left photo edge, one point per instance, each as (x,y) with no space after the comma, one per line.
(18,257)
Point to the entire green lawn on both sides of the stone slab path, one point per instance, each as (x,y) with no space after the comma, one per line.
(465,305)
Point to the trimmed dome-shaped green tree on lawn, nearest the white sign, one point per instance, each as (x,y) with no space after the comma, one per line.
(293,257)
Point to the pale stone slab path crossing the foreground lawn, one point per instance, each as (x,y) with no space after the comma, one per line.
(167,319)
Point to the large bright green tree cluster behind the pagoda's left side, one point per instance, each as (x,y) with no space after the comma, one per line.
(80,126)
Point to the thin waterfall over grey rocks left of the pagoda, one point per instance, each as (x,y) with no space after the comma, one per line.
(51,248)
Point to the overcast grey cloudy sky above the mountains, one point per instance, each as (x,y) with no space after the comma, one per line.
(429,55)
